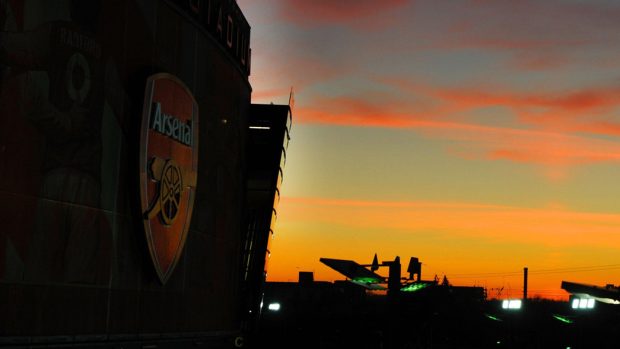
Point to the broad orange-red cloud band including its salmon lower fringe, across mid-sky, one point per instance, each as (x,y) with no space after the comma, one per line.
(551,130)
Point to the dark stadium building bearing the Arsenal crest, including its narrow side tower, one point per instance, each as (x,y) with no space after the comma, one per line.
(132,178)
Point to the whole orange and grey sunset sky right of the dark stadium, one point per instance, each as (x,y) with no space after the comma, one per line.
(479,136)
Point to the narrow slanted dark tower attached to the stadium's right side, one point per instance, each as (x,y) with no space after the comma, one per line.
(269,135)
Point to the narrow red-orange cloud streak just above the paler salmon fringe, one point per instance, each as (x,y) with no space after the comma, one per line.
(588,110)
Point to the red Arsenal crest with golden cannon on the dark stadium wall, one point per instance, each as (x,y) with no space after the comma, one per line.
(168,166)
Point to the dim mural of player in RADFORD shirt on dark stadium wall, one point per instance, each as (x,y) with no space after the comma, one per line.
(51,110)
